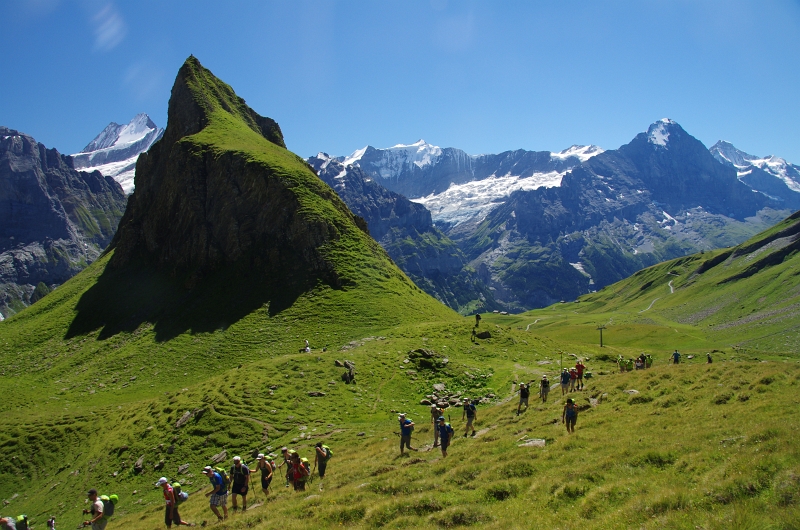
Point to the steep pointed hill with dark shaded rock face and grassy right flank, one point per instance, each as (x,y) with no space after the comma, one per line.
(225,222)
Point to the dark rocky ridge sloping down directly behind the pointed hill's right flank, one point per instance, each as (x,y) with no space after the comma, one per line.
(405,230)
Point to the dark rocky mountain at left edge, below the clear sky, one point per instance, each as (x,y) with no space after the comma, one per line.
(54,220)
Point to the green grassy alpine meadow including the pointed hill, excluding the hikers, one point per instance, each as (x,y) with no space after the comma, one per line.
(183,346)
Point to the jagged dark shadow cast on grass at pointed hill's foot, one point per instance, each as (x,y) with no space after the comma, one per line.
(123,299)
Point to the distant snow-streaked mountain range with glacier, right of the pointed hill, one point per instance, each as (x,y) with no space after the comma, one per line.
(534,228)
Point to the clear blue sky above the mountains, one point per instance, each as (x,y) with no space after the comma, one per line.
(482,76)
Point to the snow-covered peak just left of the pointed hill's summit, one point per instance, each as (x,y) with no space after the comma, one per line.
(115,150)
